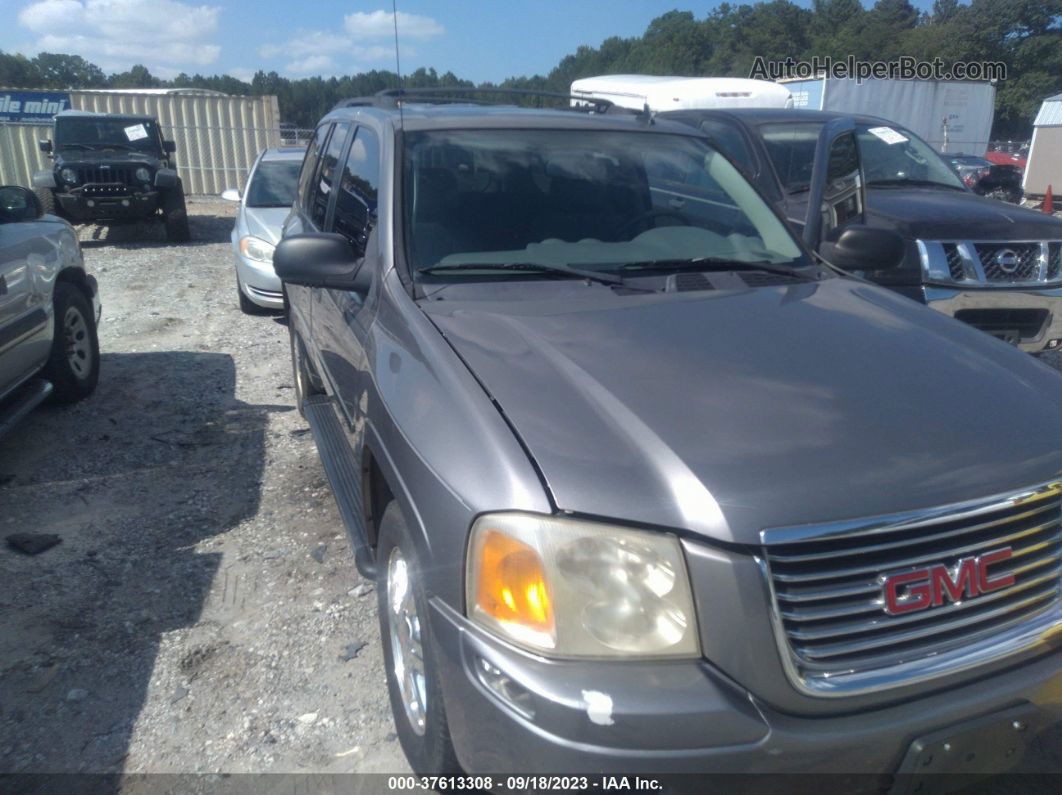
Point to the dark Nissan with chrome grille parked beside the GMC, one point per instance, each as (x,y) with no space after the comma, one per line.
(994,266)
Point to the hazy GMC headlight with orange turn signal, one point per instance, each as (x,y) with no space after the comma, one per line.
(580,590)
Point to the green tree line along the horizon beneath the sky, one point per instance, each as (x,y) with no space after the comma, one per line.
(1025,36)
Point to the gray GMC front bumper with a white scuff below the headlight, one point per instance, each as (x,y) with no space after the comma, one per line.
(686,717)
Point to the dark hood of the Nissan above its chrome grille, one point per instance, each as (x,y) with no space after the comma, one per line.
(930,214)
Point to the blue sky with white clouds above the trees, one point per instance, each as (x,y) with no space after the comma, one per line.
(477,40)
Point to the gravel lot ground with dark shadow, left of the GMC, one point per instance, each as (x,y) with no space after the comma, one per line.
(203,613)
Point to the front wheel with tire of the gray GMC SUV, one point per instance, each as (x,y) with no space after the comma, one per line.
(409,653)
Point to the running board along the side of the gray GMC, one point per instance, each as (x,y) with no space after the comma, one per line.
(344,477)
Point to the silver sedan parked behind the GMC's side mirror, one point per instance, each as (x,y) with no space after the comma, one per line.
(264,206)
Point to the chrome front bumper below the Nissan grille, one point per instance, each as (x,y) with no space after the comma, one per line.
(1031,319)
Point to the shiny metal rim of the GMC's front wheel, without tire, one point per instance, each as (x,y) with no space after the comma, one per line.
(407,654)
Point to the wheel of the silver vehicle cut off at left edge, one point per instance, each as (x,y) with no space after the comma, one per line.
(74,366)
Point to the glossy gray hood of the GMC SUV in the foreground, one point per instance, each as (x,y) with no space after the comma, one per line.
(727,412)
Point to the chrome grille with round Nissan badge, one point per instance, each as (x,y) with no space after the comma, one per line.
(991,263)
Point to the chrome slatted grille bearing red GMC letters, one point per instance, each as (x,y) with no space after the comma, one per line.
(829,586)
